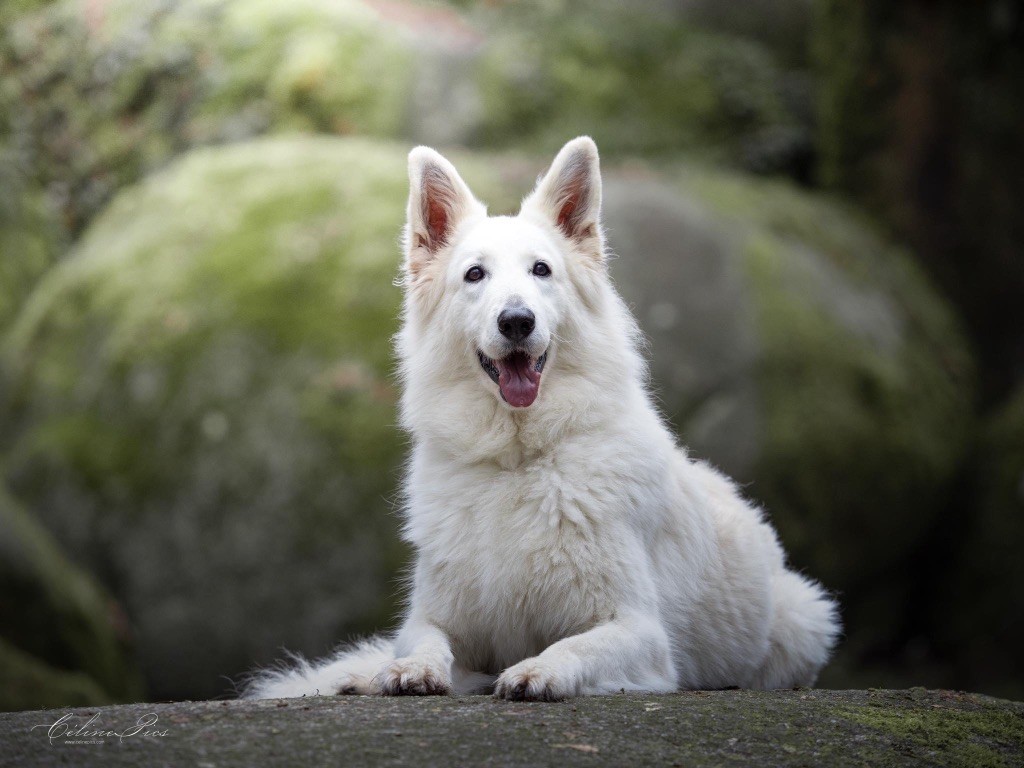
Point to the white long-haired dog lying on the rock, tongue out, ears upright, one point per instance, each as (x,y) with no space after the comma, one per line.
(566,544)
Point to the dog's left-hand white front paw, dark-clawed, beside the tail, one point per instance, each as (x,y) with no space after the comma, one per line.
(424,664)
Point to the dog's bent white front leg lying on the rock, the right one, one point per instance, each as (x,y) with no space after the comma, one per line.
(630,653)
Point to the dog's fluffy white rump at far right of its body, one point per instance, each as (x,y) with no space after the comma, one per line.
(804,630)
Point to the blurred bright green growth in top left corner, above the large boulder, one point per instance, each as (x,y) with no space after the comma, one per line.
(109,92)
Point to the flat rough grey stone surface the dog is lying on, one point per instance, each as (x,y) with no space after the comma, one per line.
(782,729)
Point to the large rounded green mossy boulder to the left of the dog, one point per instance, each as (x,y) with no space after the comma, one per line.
(210,409)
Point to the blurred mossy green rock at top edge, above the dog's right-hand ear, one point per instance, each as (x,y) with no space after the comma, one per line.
(639,79)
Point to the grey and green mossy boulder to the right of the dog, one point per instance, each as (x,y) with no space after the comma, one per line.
(797,349)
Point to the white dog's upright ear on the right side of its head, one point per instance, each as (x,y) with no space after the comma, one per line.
(570,196)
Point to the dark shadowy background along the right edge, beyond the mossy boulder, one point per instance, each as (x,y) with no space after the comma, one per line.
(920,112)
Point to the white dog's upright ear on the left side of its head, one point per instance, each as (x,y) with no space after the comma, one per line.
(439,202)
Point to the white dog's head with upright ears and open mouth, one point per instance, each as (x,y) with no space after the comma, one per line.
(501,287)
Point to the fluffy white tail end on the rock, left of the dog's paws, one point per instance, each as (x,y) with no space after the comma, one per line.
(351,670)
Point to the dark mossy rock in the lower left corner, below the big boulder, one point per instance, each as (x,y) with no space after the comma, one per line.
(64,643)
